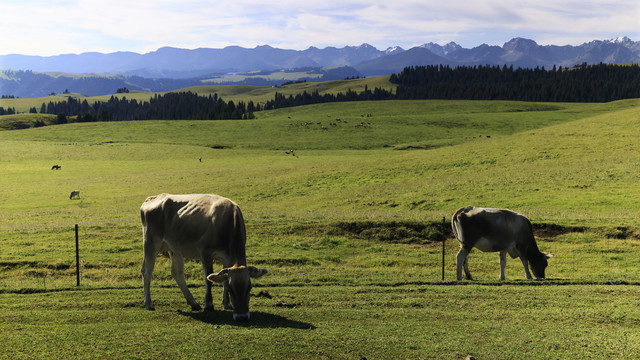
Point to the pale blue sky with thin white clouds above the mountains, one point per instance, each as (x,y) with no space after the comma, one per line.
(41,27)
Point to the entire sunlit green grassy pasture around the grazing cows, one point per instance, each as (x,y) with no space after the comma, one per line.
(336,226)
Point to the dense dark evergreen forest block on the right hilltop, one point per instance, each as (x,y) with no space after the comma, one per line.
(583,83)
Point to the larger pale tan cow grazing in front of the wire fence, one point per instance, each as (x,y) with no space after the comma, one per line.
(204,227)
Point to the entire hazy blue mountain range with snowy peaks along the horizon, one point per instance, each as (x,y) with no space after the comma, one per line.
(168,67)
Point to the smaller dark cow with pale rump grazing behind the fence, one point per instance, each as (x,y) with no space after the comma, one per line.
(497,230)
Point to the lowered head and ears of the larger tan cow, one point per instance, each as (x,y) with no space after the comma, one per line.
(238,281)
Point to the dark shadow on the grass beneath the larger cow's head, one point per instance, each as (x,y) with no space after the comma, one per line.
(258,319)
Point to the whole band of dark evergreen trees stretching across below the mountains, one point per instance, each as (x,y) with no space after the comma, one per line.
(595,83)
